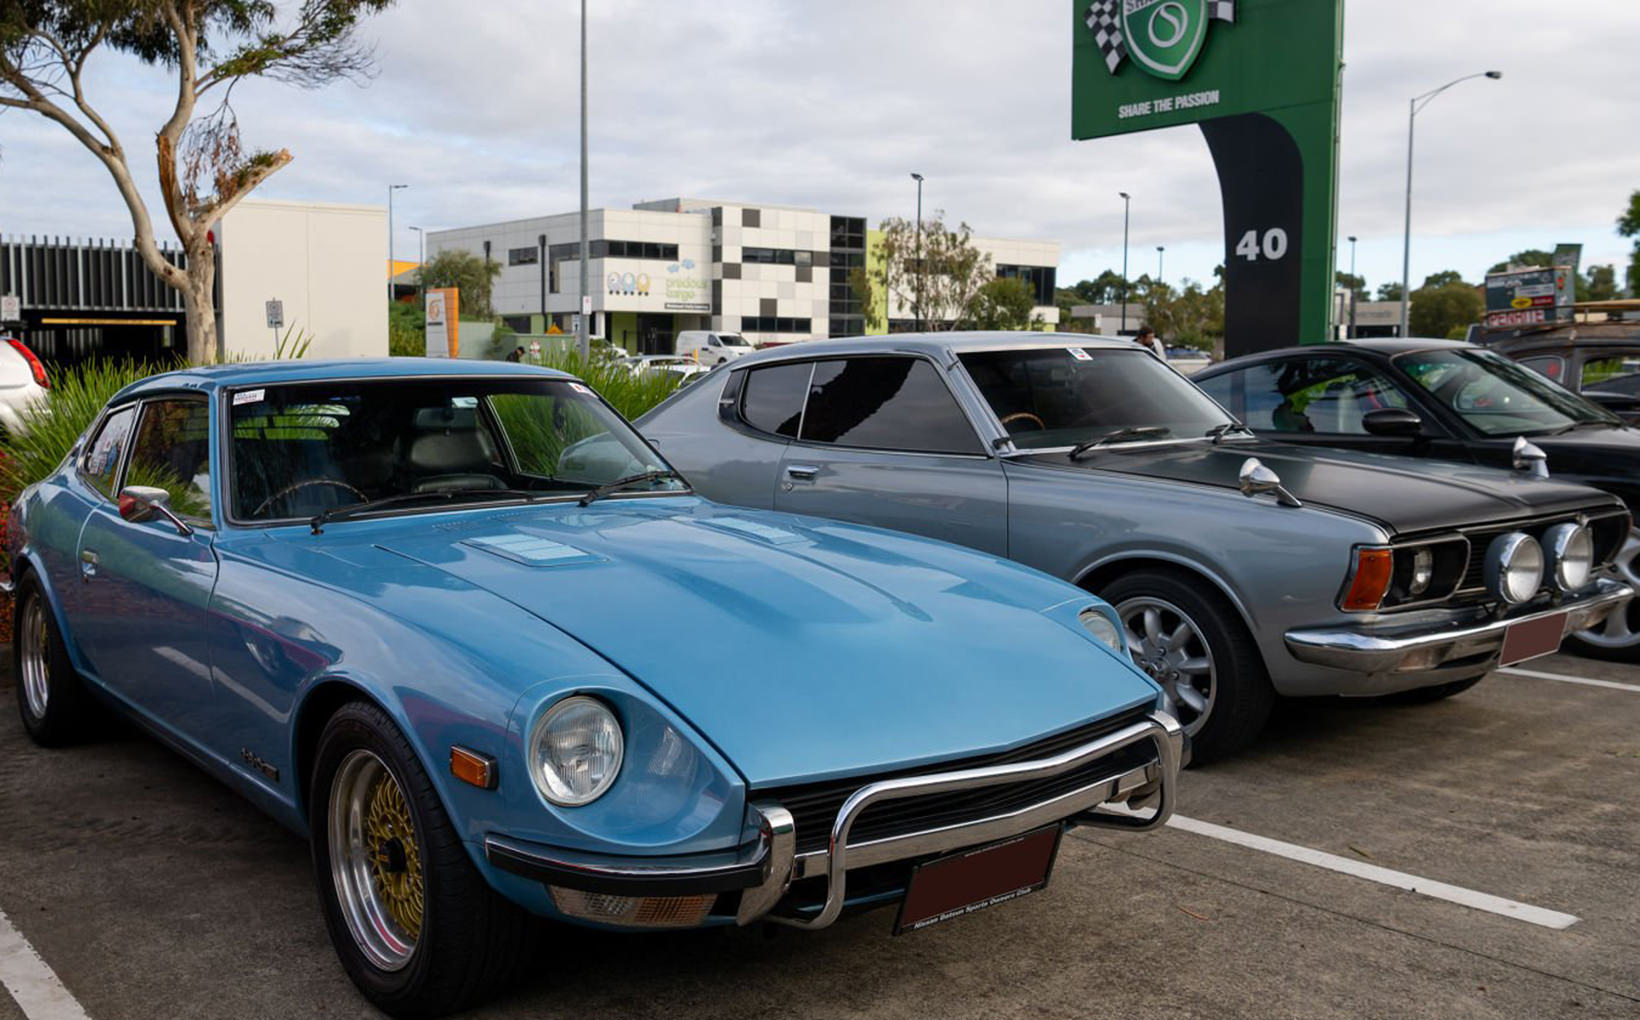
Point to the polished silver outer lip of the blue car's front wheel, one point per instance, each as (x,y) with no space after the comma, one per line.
(383,942)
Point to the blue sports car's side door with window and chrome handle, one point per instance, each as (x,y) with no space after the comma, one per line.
(140,608)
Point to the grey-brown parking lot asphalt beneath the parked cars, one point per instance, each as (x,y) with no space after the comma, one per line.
(153,891)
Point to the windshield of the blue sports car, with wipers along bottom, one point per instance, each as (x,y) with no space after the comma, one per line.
(306,449)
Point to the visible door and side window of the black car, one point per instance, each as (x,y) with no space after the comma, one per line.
(1321,401)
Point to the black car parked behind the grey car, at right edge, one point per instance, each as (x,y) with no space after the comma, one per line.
(1446,401)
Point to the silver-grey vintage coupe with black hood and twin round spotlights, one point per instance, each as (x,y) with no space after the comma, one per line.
(1242,568)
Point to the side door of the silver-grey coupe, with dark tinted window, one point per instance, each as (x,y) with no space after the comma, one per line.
(883,442)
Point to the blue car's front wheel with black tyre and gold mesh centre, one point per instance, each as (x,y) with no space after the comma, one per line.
(414,922)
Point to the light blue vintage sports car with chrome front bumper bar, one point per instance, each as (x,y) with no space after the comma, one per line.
(468,632)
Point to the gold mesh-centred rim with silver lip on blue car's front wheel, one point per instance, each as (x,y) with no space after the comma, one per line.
(375,860)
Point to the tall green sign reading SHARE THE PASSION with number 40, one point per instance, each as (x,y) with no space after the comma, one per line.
(1260,78)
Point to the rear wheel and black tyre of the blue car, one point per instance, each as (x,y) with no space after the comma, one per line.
(50,694)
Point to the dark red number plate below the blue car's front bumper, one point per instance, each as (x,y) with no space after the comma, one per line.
(975,880)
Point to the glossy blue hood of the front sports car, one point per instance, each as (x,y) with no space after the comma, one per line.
(803,649)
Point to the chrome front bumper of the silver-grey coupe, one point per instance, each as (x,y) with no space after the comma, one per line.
(1380,650)
